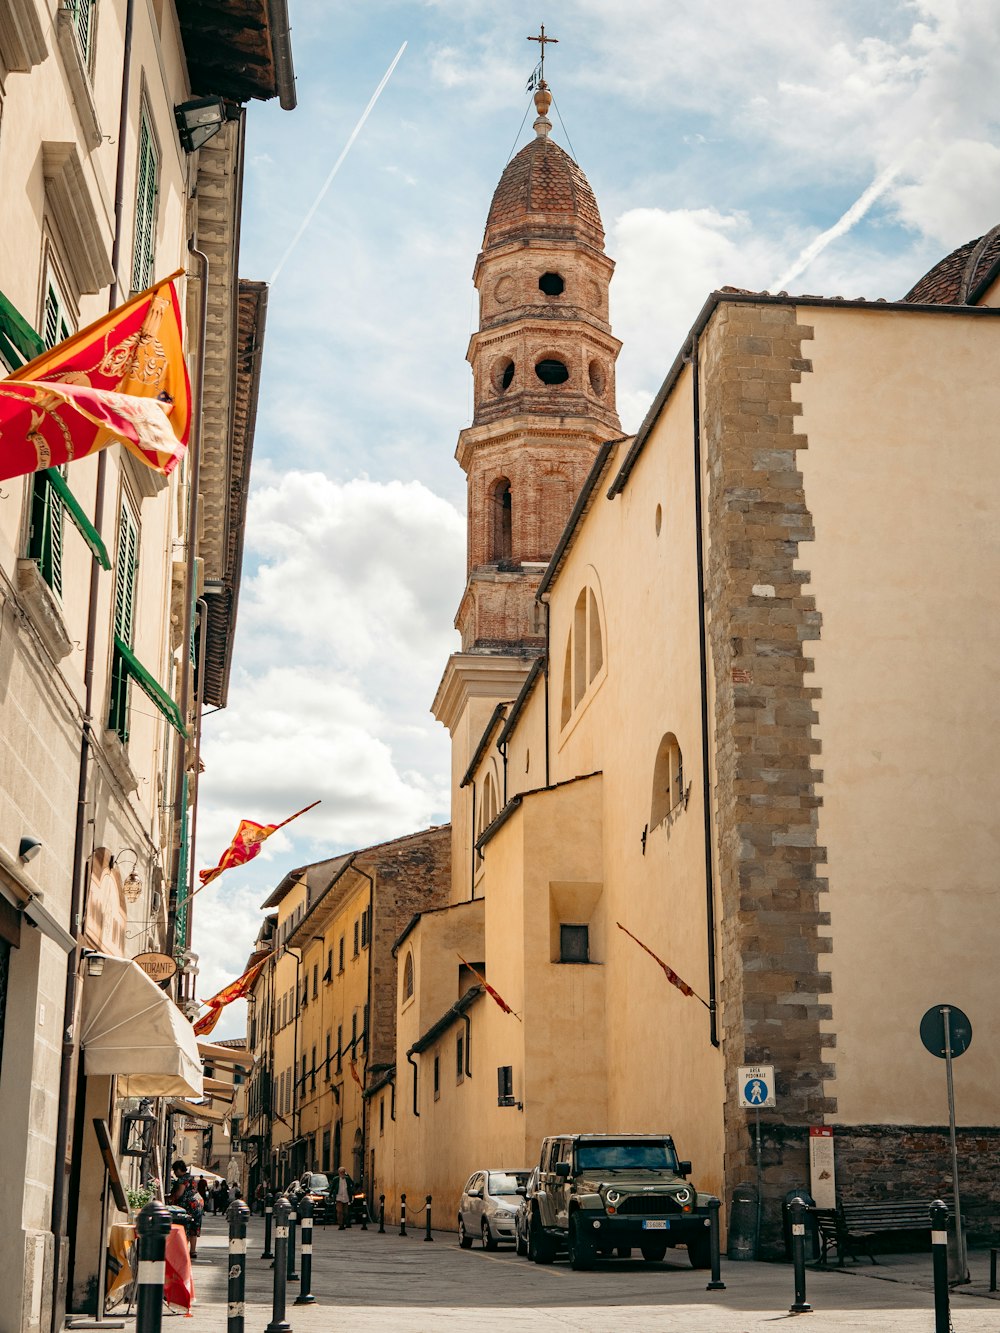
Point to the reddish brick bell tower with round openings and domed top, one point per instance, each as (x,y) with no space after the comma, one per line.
(543,366)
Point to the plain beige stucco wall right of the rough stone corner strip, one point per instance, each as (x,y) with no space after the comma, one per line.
(902,481)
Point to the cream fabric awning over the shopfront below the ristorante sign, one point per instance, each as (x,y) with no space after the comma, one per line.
(134,1030)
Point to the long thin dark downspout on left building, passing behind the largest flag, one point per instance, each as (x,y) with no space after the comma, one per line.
(78,886)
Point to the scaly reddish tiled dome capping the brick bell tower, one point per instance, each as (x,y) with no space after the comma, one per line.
(543,191)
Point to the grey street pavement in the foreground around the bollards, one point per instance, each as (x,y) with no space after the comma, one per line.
(366,1282)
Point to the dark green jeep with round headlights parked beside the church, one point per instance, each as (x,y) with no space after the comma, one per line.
(607,1194)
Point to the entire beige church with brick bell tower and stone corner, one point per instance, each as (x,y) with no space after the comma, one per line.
(721,692)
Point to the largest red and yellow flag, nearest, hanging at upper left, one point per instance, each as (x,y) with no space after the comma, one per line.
(122,381)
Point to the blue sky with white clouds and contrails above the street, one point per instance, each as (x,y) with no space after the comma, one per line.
(827,147)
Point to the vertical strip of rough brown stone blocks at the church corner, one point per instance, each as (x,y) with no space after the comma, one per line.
(774,988)
